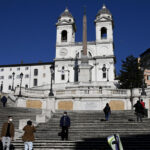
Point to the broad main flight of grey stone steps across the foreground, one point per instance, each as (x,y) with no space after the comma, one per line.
(89,132)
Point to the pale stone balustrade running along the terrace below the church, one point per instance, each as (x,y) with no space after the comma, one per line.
(82,91)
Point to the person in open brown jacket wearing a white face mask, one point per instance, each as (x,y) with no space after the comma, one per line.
(7,133)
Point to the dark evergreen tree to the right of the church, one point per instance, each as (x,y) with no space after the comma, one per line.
(130,75)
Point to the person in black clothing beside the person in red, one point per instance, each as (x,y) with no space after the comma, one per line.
(138,110)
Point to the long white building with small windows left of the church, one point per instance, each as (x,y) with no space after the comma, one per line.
(35,74)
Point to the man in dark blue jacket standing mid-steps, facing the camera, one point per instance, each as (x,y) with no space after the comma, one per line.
(64,124)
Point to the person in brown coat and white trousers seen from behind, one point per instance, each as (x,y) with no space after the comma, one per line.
(28,136)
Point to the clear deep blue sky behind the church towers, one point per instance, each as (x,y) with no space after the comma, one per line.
(28,31)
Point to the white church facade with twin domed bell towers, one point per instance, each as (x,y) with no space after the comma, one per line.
(100,52)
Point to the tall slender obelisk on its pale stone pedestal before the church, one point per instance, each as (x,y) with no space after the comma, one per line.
(84,67)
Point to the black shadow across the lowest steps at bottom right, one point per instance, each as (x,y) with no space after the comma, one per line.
(136,142)
